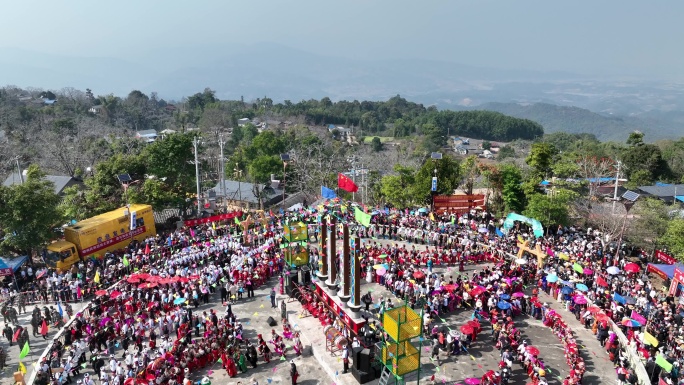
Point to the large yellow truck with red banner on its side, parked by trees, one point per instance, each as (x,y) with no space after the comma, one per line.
(93,237)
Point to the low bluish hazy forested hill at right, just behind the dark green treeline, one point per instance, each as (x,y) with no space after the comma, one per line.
(578,120)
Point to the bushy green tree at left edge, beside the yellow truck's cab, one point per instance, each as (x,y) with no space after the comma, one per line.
(28,213)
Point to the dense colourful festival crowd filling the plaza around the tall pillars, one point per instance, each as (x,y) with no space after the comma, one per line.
(591,277)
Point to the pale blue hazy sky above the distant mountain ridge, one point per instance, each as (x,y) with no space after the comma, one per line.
(625,36)
